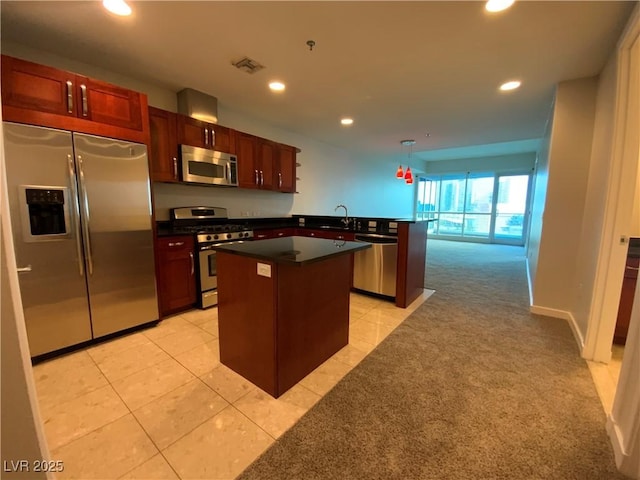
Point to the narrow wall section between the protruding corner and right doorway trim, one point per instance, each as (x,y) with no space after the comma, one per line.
(594,207)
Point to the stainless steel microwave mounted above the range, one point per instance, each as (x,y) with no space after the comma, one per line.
(209,167)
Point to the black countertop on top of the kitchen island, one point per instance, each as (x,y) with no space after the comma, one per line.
(293,250)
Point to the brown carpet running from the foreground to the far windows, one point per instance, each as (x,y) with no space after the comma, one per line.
(470,386)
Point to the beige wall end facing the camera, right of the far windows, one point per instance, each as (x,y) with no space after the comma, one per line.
(562,215)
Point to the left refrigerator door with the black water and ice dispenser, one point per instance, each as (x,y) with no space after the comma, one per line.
(52,282)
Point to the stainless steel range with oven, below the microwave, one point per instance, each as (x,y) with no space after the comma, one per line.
(211,226)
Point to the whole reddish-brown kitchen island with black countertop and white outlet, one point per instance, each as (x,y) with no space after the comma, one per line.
(283,306)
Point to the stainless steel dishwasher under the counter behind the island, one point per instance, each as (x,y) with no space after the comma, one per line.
(374,269)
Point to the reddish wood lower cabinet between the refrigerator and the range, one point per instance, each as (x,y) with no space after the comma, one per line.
(176,273)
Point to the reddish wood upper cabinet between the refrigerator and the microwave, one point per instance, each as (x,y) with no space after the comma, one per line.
(163,155)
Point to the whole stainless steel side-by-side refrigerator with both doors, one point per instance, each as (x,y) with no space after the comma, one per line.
(81,218)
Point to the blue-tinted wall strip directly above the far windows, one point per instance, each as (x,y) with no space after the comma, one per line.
(500,163)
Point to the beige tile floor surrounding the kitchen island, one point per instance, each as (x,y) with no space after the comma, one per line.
(158,404)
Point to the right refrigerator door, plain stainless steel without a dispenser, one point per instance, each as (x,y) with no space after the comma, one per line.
(115,209)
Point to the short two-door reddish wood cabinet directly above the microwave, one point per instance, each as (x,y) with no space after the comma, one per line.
(197,133)
